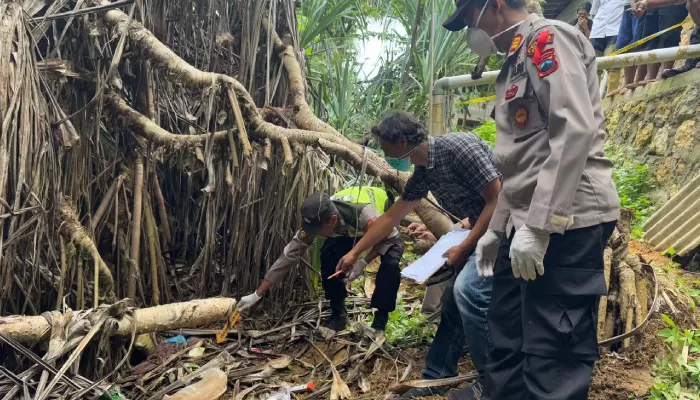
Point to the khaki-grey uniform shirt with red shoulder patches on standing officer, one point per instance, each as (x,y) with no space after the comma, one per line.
(549,146)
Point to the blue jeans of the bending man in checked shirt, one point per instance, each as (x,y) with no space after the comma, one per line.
(465,305)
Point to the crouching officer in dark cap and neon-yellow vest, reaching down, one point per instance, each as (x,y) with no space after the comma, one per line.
(342,219)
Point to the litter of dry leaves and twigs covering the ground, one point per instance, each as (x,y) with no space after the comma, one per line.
(258,358)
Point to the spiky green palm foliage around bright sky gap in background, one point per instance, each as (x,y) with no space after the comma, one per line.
(330,32)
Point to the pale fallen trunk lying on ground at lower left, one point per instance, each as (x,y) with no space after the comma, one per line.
(191,314)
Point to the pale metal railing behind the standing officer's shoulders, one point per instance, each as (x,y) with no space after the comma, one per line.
(443,85)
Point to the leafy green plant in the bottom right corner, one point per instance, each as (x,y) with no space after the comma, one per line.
(678,370)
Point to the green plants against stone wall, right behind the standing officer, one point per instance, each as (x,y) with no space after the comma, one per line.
(634,188)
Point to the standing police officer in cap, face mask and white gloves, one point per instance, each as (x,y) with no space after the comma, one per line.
(557,207)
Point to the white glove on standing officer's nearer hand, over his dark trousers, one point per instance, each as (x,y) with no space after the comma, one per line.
(527,252)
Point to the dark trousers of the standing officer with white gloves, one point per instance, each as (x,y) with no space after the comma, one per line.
(544,331)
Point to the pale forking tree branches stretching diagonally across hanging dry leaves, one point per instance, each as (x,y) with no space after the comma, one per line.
(315,132)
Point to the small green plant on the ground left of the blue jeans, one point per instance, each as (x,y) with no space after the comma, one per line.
(408,329)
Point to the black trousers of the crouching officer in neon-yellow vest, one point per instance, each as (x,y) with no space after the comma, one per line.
(388,276)
